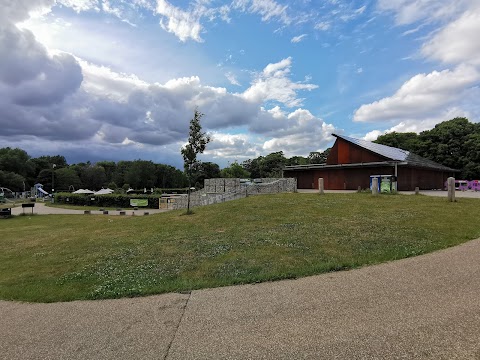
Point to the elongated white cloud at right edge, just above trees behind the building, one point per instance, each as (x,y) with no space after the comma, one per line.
(422,95)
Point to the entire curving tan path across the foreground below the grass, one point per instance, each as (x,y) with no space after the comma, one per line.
(426,307)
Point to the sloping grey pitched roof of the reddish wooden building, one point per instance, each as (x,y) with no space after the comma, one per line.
(396,154)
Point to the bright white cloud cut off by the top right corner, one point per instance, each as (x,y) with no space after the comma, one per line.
(458,42)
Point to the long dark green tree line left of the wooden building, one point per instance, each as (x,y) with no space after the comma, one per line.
(19,171)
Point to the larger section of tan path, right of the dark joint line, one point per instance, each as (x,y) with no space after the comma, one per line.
(426,307)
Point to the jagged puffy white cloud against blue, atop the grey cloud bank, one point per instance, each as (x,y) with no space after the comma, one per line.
(273,84)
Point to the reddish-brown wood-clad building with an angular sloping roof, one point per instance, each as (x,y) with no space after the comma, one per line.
(352,161)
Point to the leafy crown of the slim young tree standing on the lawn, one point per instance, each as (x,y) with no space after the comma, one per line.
(197,142)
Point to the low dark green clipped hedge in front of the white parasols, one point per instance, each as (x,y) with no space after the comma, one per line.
(109,200)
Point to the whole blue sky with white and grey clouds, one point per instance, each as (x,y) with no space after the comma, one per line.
(120,80)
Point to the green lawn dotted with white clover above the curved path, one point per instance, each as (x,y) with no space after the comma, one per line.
(261,238)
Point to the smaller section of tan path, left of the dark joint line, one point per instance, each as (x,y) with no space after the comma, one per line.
(140,328)
